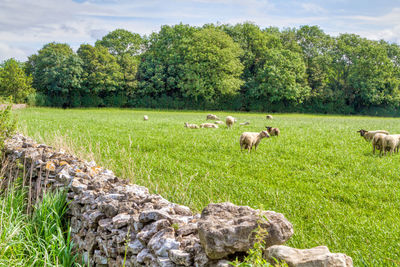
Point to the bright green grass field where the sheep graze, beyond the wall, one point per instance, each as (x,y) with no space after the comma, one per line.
(319,173)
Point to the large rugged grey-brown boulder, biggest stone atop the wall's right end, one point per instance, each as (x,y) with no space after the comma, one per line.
(225,228)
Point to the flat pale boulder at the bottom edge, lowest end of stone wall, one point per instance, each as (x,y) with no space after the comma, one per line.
(313,257)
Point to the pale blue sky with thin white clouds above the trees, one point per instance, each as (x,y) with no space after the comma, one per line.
(27,25)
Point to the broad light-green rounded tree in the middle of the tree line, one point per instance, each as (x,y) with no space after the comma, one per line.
(212,66)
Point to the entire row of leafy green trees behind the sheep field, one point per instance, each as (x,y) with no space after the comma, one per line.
(226,67)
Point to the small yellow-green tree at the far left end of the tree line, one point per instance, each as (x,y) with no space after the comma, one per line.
(14,82)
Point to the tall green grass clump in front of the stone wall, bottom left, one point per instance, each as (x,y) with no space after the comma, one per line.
(39,239)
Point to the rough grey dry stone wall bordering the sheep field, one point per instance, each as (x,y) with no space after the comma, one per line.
(114,223)
